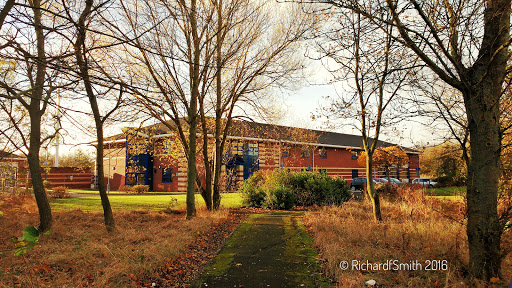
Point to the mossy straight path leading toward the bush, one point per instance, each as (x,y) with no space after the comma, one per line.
(267,250)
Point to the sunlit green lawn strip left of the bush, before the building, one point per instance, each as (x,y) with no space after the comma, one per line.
(138,202)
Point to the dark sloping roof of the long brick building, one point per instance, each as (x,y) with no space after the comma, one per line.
(263,131)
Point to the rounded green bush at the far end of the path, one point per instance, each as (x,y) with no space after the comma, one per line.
(281,189)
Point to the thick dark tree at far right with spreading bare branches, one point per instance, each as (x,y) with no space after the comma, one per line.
(465,43)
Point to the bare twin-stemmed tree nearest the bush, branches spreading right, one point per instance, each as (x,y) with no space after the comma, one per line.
(254,48)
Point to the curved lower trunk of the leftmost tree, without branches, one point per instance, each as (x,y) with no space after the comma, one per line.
(45,212)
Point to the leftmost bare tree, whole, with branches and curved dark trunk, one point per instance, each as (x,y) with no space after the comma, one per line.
(25,38)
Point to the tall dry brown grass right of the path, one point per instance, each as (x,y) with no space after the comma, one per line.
(413,229)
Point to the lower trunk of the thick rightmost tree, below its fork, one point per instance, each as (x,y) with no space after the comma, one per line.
(483,228)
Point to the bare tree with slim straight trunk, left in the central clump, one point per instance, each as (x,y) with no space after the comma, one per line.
(172,53)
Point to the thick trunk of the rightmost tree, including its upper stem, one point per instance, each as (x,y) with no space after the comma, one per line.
(482,99)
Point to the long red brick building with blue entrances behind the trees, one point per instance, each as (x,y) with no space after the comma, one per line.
(151,156)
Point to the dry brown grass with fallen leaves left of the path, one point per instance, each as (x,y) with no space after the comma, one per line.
(79,252)
